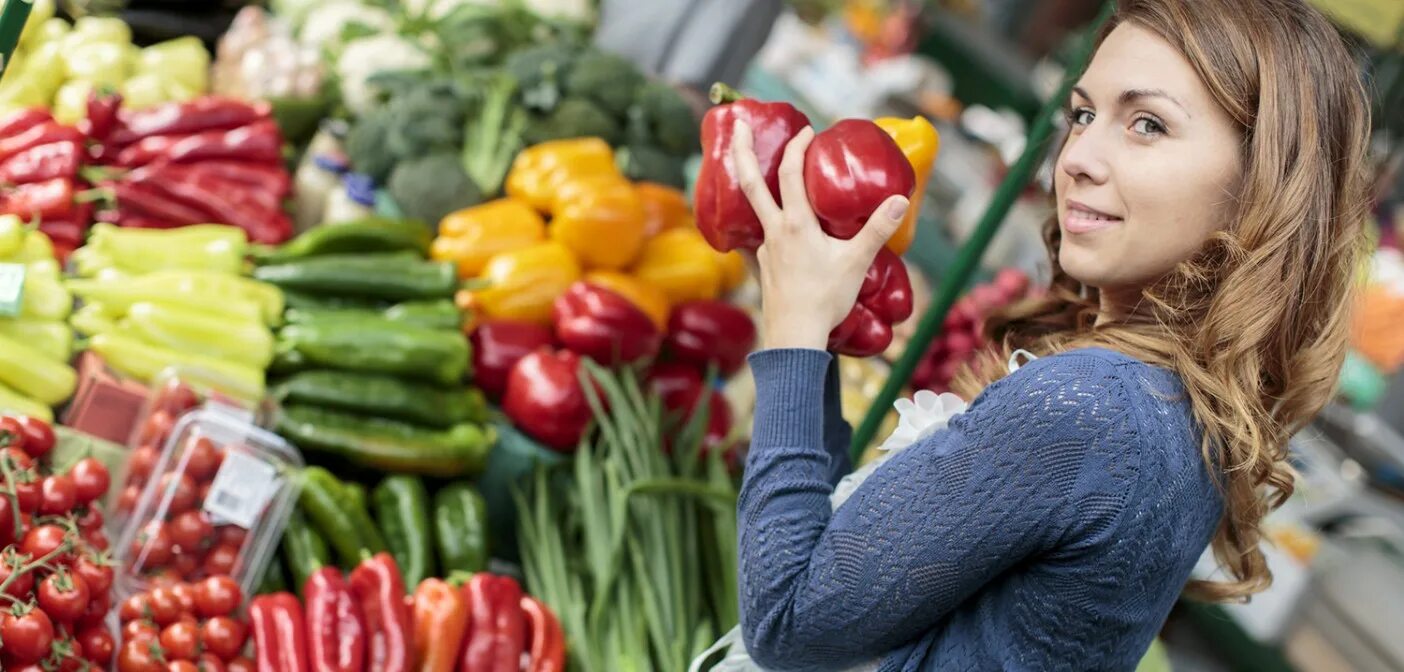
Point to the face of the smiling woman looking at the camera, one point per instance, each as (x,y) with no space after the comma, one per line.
(1151,168)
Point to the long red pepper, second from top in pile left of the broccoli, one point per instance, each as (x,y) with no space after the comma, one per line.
(258,142)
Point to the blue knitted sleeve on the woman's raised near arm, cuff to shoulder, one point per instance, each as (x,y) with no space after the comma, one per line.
(1021,469)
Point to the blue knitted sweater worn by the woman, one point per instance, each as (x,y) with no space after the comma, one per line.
(1051,527)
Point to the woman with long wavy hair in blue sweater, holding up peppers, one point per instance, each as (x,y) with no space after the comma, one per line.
(1211,197)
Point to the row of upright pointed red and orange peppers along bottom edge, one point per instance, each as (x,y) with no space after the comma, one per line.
(369,622)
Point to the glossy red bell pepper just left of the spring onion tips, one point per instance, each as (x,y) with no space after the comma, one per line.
(547,401)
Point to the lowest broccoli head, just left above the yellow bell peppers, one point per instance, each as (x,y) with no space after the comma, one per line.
(430,187)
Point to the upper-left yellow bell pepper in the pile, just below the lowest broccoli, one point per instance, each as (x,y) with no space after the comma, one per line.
(475,235)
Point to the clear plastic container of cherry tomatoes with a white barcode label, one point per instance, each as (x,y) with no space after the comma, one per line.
(214,504)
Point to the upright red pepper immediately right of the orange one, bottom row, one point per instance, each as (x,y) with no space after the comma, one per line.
(498,626)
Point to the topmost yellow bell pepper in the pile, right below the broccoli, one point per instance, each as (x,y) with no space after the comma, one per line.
(540,170)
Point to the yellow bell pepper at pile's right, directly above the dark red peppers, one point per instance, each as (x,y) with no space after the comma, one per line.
(682,264)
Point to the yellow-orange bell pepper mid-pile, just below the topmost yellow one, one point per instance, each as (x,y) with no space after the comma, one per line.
(602,221)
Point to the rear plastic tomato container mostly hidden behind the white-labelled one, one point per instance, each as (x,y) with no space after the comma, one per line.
(173,394)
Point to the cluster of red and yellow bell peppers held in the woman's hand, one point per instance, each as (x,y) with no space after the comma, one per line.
(850,170)
